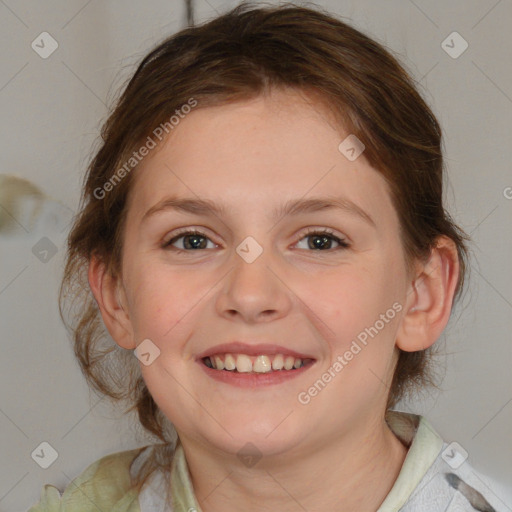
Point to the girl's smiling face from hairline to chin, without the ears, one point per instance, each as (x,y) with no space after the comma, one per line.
(323,286)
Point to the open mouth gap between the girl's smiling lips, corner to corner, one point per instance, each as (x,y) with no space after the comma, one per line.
(263,363)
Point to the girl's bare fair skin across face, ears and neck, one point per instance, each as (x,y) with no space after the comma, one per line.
(336,452)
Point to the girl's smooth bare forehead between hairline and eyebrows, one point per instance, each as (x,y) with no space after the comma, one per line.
(266,150)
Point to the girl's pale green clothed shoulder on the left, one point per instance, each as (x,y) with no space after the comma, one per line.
(103,485)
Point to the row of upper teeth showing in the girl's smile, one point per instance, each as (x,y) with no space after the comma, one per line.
(260,364)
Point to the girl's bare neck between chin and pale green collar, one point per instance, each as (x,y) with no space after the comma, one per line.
(353,473)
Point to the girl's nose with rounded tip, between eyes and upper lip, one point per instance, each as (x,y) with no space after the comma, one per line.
(254,292)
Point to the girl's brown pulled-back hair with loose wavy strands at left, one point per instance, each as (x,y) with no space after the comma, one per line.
(241,55)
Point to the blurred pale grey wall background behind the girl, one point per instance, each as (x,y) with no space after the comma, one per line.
(62,63)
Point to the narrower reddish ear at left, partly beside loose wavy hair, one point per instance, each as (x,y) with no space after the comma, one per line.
(111,299)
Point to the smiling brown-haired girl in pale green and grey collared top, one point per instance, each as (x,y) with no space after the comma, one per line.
(263,228)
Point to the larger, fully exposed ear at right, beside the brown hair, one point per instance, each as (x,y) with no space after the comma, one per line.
(429,298)
